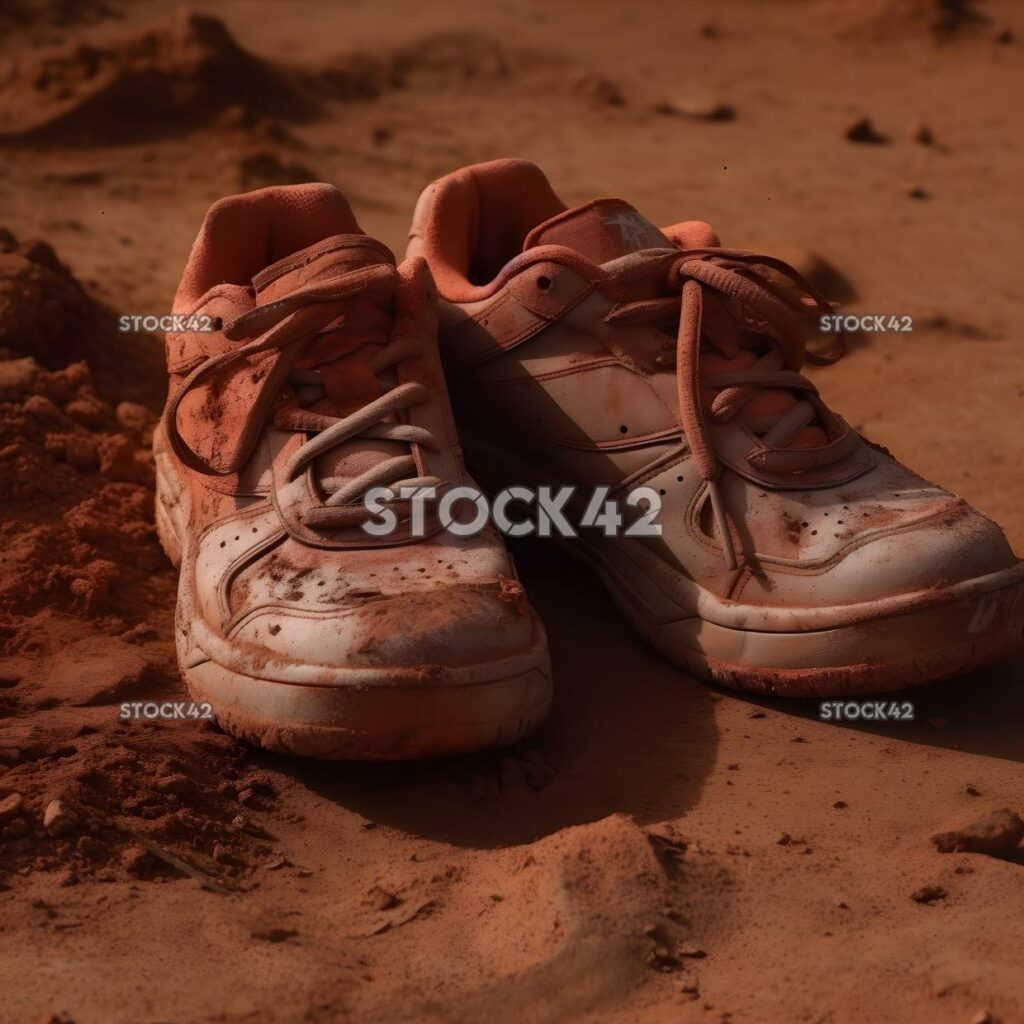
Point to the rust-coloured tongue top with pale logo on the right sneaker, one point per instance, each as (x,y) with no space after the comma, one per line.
(602,231)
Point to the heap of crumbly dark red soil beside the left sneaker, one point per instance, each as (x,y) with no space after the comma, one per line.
(87,606)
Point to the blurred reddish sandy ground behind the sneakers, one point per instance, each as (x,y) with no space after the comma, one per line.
(877,145)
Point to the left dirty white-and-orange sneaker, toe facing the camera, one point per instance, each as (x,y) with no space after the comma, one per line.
(308,374)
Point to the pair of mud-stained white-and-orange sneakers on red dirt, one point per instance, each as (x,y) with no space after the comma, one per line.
(582,348)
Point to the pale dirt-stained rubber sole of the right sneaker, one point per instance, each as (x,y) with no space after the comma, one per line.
(947,636)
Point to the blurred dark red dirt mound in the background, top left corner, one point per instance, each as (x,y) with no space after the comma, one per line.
(159,83)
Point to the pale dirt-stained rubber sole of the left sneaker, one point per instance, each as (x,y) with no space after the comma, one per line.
(365,715)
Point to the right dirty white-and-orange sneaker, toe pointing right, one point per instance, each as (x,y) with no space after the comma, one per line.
(588,348)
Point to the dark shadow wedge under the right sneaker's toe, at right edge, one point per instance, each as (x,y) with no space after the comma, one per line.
(979,713)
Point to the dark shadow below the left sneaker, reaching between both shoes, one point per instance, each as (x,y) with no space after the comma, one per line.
(628,734)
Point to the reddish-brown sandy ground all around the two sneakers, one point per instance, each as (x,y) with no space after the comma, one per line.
(661,851)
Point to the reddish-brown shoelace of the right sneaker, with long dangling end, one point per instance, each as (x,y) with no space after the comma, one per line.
(778,316)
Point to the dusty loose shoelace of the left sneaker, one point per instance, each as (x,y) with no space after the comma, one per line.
(287,326)
